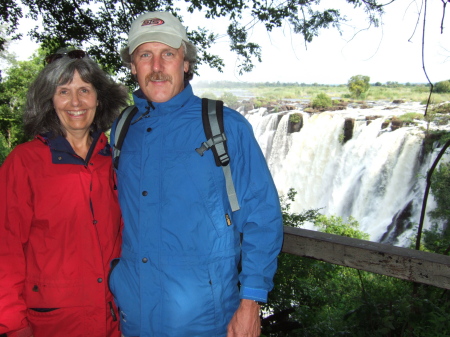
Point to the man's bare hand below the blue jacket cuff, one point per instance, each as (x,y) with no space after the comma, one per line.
(245,321)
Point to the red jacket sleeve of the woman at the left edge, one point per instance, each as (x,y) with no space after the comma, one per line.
(15,223)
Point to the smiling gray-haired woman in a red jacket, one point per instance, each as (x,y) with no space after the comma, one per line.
(60,222)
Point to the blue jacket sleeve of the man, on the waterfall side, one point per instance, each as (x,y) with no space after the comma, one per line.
(259,218)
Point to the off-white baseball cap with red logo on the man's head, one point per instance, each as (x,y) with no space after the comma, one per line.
(160,27)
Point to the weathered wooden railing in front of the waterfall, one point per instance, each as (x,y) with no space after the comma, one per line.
(403,263)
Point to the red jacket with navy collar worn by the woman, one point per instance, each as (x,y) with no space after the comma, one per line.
(60,226)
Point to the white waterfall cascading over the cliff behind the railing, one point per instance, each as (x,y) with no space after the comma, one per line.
(377,175)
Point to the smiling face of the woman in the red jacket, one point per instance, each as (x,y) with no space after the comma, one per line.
(75,104)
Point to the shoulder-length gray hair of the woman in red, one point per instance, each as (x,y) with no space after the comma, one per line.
(40,116)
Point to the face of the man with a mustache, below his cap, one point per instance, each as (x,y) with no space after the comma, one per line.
(159,70)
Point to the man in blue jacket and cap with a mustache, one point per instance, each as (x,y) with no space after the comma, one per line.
(189,265)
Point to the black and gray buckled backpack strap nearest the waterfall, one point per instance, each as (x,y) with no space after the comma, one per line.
(212,117)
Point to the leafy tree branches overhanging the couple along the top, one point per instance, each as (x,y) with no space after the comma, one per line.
(101,26)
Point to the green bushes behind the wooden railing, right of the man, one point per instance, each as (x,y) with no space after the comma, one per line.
(314,298)
